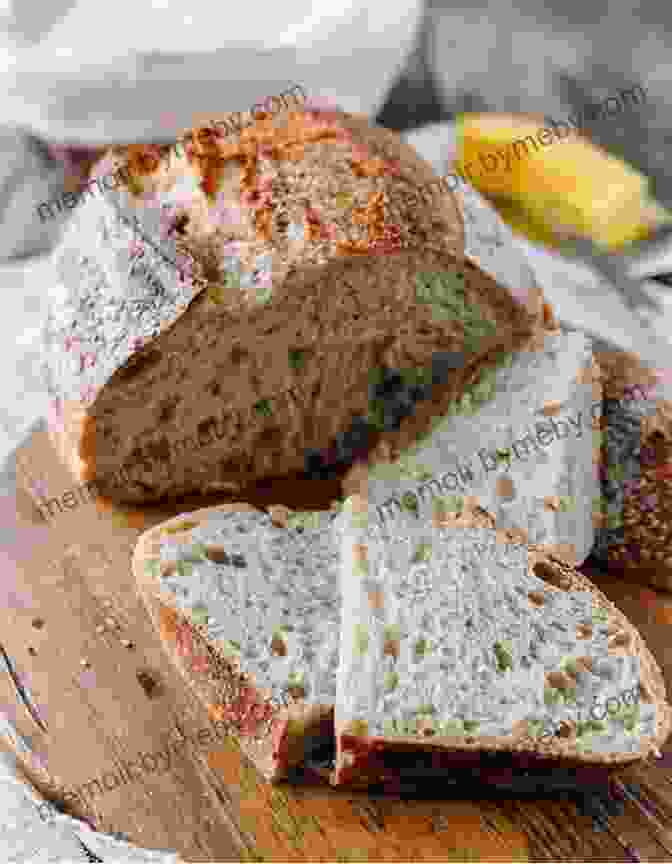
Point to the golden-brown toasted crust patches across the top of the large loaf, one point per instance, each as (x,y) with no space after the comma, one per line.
(218,160)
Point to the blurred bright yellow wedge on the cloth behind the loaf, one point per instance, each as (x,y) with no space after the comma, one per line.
(550,183)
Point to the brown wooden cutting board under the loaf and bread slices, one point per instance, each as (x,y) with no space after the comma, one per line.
(112,702)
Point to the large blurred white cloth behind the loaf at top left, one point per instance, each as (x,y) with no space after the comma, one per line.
(138,69)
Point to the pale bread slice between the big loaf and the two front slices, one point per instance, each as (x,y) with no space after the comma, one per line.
(519,441)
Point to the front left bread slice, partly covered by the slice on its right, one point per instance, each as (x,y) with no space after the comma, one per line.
(253,631)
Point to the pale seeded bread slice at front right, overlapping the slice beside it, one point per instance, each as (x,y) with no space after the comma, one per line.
(458,640)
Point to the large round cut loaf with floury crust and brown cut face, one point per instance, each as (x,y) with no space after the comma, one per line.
(219,320)
